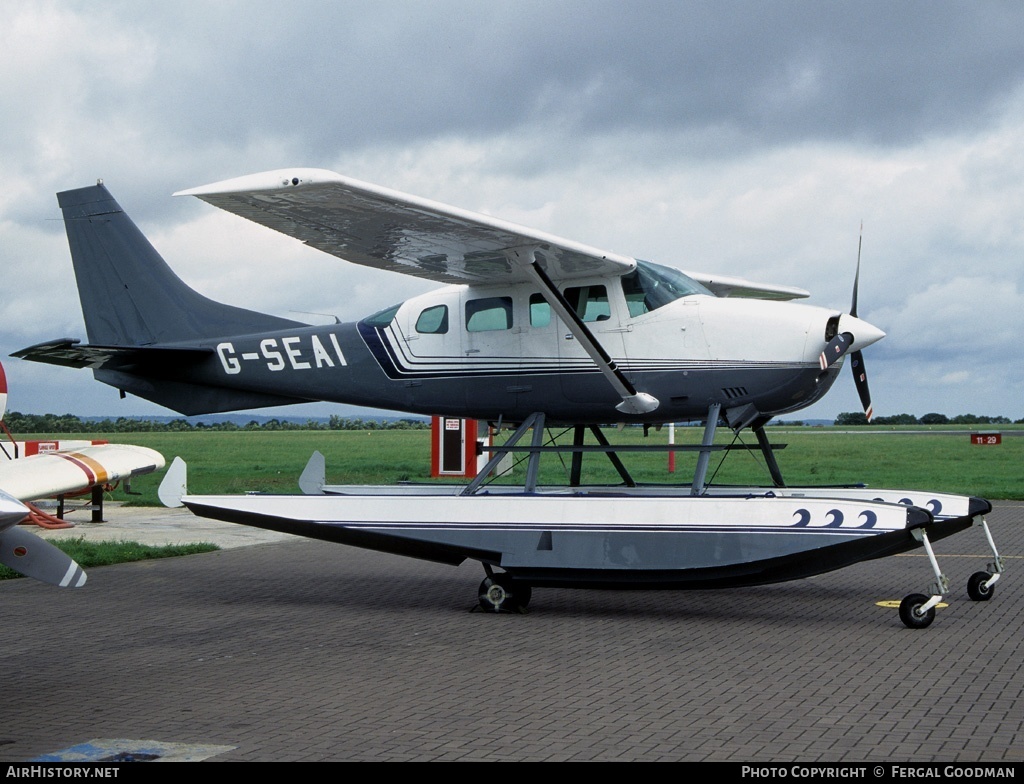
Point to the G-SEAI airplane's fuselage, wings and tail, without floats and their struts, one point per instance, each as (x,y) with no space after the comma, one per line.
(527,323)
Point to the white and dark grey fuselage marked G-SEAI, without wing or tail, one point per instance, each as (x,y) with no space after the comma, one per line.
(500,352)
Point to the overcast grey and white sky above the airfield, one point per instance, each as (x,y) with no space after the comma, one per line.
(738,138)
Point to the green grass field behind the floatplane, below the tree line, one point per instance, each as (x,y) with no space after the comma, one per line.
(943,459)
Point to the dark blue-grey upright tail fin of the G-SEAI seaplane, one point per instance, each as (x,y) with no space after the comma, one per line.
(131,296)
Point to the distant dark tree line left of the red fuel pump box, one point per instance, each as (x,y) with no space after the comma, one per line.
(67,423)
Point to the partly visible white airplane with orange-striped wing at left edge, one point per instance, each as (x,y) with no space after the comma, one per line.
(25,480)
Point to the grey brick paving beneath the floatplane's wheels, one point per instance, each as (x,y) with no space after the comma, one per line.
(310,651)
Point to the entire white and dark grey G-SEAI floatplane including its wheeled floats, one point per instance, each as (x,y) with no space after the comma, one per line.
(531,332)
